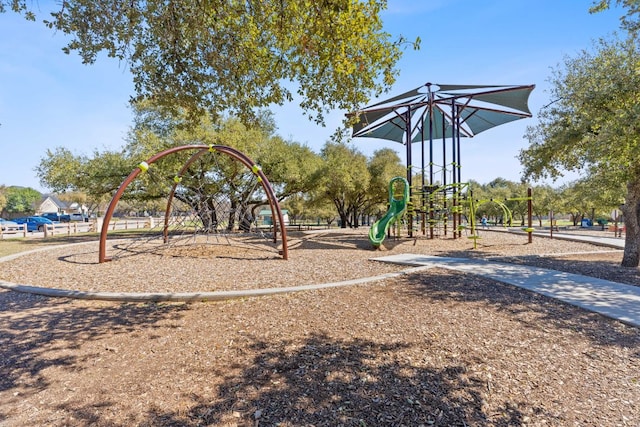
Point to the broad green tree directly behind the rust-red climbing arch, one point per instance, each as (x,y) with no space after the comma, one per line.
(289,166)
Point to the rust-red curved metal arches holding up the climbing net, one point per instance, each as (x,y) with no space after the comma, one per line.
(202,149)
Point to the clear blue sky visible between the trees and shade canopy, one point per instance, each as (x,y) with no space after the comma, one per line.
(49,99)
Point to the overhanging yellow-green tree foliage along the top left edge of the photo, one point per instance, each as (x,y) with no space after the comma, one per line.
(236,56)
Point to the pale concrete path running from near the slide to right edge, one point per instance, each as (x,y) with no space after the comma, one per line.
(611,299)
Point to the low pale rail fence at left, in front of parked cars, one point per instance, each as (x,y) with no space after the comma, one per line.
(69,228)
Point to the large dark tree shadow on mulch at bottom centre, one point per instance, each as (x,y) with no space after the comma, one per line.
(326,381)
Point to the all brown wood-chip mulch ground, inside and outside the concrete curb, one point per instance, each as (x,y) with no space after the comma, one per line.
(432,348)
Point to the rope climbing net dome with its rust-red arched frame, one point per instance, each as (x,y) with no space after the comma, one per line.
(211,204)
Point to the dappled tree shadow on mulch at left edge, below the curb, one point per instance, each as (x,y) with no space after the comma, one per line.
(31,326)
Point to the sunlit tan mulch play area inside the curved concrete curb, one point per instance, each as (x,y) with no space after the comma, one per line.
(321,256)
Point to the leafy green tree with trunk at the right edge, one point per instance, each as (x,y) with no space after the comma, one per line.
(594,126)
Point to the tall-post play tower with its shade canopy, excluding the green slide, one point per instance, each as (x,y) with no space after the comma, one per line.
(435,117)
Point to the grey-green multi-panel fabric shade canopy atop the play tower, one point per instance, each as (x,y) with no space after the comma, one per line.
(442,111)
